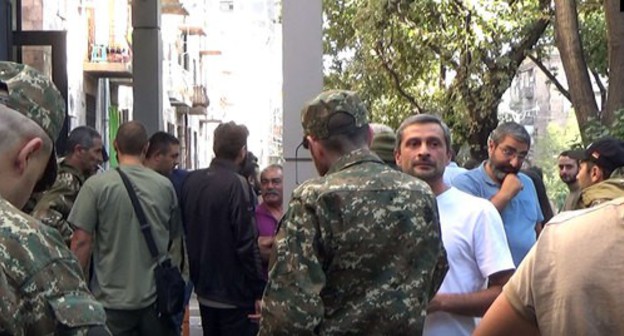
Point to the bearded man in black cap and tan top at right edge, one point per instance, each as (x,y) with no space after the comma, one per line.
(600,173)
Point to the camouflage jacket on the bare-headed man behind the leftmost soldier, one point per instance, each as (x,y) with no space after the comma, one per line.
(55,204)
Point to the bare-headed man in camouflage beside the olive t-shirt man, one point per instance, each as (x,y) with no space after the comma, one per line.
(84,156)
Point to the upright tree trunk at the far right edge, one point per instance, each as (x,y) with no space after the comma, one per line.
(615,39)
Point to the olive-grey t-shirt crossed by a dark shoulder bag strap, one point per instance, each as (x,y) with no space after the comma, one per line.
(123,269)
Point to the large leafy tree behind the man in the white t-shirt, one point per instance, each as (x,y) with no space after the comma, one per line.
(451,57)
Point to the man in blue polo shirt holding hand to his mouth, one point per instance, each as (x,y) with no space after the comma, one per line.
(512,193)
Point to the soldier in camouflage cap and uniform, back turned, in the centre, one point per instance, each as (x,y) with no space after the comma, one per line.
(359,249)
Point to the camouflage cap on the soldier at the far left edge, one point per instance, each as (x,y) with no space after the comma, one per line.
(26,90)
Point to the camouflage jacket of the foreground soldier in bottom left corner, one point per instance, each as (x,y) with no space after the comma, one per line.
(41,284)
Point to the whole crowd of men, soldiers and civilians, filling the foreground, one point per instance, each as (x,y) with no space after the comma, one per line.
(393,237)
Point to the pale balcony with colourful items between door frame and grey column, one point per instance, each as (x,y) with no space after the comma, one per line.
(106,62)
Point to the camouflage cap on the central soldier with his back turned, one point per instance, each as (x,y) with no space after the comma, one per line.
(317,113)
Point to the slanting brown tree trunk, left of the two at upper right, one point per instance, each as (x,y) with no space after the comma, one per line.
(571,52)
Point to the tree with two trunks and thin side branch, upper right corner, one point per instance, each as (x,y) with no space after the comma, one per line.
(590,40)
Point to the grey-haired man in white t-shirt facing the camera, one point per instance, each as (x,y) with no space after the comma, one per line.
(479,259)
